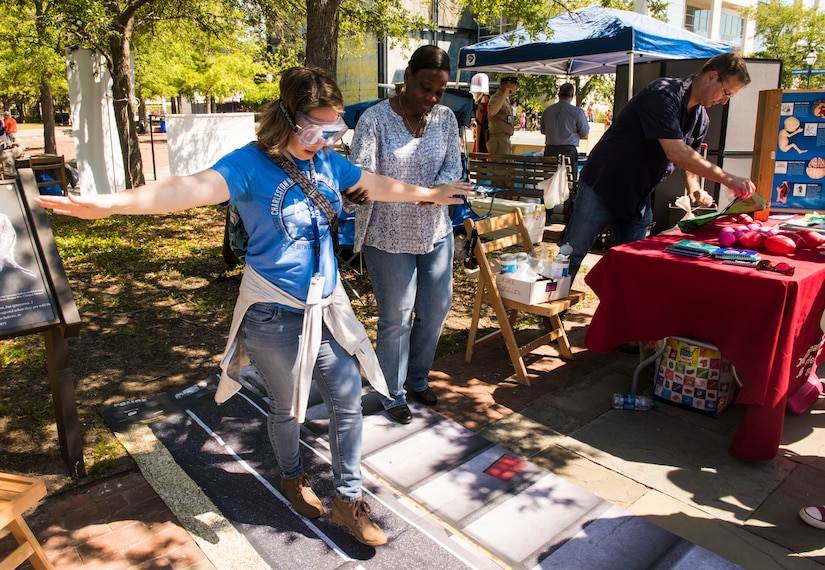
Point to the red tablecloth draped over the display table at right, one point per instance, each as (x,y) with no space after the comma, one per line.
(765,323)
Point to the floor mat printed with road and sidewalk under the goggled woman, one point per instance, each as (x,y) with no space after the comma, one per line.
(445,496)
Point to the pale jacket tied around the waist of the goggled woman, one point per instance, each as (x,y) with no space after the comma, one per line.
(335,312)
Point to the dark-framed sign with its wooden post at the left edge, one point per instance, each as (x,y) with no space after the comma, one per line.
(35,297)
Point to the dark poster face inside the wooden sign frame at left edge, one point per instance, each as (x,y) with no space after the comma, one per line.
(26,300)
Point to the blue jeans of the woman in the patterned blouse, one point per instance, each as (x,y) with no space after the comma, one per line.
(404,284)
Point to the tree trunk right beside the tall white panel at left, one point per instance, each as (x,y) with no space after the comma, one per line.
(121,71)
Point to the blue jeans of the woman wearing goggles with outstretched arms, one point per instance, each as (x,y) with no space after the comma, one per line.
(269,335)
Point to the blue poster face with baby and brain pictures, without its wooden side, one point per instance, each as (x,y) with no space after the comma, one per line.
(799,169)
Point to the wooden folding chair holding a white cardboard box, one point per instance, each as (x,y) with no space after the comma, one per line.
(507,310)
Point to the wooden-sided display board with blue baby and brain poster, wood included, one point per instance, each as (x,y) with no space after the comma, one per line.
(789,151)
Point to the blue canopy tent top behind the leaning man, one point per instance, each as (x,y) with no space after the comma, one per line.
(588,41)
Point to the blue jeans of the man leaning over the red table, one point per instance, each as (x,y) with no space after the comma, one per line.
(590,217)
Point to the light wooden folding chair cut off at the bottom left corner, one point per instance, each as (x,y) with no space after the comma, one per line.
(17,495)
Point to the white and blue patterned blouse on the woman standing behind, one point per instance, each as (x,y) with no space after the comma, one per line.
(383,145)
